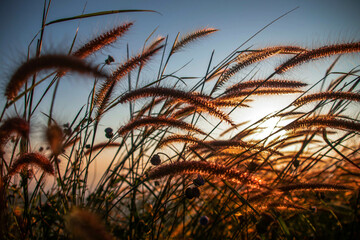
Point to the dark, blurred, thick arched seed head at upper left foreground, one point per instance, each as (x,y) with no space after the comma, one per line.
(63,63)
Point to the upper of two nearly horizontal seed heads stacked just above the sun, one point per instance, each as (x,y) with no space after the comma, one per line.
(271,83)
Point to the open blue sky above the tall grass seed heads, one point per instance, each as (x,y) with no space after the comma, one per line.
(314,23)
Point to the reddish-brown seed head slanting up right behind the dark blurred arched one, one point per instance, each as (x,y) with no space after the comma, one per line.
(102,40)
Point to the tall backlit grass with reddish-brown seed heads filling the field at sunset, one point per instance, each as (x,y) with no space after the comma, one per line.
(181,166)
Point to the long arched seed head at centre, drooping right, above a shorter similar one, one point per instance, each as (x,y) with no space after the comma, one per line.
(195,99)
